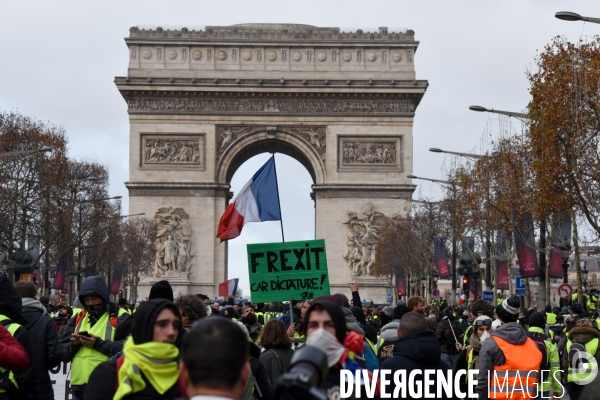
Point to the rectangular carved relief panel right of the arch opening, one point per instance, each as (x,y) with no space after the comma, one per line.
(374,153)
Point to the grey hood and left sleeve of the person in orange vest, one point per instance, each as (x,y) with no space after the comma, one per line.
(490,354)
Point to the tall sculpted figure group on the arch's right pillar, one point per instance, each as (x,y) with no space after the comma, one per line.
(364,226)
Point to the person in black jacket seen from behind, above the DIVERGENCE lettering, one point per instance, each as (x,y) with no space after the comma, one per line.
(417,349)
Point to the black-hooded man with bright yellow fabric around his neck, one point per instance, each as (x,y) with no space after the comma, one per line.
(148,368)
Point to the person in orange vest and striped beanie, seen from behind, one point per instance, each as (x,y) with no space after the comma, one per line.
(508,349)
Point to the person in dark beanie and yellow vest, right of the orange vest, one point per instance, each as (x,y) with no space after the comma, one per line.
(550,357)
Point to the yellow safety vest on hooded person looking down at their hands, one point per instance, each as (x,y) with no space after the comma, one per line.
(87,359)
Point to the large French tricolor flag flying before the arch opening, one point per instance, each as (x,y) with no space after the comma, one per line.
(257,201)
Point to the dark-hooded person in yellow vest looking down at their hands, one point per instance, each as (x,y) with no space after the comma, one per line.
(88,338)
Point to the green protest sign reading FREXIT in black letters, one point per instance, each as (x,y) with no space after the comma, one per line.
(287,271)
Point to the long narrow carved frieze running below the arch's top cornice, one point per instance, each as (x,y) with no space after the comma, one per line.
(243,106)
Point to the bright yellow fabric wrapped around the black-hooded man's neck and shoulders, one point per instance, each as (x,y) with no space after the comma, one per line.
(156,360)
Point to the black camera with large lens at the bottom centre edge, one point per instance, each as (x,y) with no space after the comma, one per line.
(308,369)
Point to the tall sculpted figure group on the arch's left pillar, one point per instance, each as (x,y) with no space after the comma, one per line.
(172,243)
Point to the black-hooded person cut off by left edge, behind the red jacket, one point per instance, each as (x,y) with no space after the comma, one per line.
(18,386)
